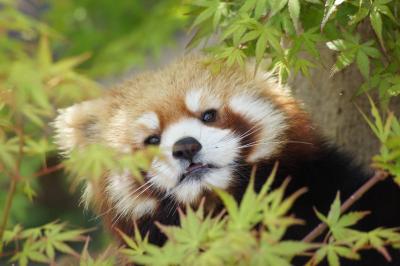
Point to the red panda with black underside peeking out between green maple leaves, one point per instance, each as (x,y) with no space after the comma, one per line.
(211,129)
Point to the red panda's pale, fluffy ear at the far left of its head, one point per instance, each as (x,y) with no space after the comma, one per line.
(79,124)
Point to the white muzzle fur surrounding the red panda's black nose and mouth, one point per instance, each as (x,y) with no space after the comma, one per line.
(220,148)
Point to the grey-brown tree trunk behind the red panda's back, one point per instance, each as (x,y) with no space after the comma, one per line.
(332,105)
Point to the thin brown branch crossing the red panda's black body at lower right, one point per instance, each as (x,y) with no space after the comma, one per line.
(378,176)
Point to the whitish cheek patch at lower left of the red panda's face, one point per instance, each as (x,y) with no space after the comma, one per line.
(120,188)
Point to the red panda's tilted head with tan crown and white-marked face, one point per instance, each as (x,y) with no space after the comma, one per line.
(206,125)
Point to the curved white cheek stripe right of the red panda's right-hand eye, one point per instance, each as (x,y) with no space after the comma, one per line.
(271,120)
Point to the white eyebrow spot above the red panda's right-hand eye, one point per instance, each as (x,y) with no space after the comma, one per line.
(200,100)
